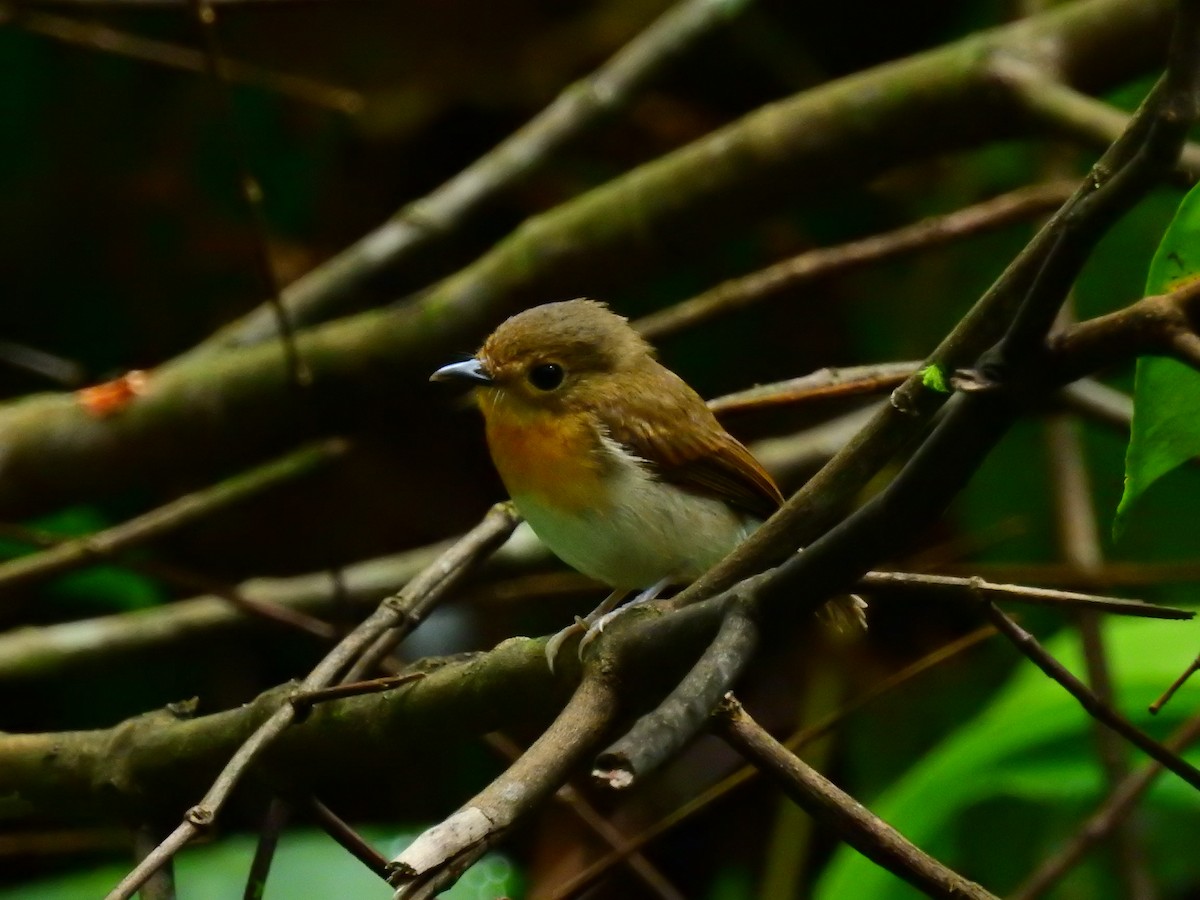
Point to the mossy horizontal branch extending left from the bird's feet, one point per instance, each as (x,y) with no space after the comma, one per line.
(153,766)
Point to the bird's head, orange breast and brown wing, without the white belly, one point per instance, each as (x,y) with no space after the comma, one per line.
(562,386)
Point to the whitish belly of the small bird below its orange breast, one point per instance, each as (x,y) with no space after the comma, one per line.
(647,531)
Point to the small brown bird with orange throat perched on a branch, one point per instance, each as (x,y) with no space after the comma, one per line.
(613,459)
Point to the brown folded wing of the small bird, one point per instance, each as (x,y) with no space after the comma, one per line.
(677,435)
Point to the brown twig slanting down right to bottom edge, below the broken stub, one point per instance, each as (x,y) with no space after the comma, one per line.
(824,801)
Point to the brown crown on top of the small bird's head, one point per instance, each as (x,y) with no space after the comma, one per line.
(580,337)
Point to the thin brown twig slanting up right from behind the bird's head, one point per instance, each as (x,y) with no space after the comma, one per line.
(739,293)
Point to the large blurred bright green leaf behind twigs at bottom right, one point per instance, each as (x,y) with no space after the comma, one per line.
(1033,747)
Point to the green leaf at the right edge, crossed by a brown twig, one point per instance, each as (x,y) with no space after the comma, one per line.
(1166,429)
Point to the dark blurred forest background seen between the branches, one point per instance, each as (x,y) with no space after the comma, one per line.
(124,241)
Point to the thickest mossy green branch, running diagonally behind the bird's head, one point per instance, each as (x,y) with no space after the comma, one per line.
(844,131)
